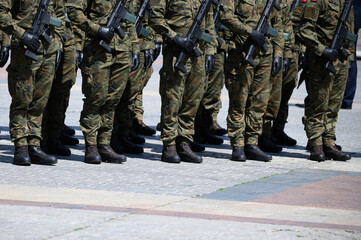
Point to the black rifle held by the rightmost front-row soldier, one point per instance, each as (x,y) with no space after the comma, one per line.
(341,35)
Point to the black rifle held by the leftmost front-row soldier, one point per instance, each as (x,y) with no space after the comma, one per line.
(41,23)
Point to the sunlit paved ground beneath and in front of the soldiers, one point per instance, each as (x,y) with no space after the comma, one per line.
(288,198)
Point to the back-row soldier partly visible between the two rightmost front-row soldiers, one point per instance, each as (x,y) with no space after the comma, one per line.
(290,75)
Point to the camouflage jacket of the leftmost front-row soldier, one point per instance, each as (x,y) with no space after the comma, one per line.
(17,16)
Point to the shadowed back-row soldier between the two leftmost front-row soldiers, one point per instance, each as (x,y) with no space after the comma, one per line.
(54,116)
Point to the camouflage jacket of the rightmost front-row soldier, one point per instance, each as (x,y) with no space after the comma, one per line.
(319,22)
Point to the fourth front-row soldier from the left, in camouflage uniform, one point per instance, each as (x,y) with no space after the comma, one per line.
(248,87)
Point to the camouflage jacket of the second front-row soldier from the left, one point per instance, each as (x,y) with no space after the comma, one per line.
(89,15)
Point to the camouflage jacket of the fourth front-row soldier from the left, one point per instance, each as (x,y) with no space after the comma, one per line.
(241,16)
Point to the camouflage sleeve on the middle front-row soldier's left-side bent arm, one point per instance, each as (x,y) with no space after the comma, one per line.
(158,21)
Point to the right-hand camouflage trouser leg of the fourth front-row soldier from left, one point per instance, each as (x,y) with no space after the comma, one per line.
(259,94)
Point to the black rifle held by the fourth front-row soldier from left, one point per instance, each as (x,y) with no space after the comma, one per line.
(264,28)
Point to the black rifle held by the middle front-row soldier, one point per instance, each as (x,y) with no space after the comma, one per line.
(195,34)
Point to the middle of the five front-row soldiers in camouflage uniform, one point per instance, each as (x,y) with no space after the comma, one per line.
(181,93)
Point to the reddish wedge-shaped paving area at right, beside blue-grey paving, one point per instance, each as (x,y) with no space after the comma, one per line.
(340,192)
